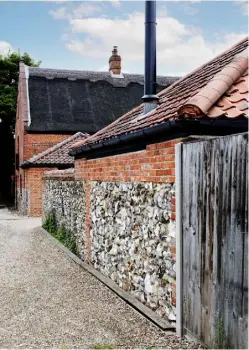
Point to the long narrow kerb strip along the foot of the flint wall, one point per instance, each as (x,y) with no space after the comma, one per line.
(138,306)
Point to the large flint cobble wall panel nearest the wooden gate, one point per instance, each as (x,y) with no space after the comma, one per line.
(133,240)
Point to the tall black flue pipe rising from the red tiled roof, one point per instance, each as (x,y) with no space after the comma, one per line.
(150,99)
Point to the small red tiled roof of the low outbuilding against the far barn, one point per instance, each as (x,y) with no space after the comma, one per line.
(58,154)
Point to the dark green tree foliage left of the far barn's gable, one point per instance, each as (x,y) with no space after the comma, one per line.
(9,71)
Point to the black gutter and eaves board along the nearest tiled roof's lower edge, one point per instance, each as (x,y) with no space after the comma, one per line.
(168,130)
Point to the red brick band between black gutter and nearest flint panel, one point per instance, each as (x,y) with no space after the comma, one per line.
(155,164)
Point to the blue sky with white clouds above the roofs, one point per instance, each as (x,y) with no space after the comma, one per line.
(80,35)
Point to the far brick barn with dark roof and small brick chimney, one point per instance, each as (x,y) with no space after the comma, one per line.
(54,104)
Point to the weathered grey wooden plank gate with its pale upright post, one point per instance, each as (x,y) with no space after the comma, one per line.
(212,234)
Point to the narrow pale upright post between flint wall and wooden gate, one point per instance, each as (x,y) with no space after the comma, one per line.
(179,257)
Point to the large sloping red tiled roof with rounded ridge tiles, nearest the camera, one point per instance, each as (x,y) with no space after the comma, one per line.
(182,99)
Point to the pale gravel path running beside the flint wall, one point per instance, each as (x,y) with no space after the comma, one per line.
(48,301)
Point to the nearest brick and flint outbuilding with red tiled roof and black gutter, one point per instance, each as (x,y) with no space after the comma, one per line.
(128,173)
